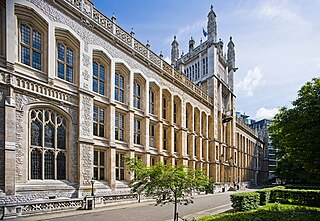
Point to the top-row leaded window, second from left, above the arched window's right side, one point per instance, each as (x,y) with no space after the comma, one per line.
(65,62)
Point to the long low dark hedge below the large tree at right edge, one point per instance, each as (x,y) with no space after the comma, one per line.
(298,197)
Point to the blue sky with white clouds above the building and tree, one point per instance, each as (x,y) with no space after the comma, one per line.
(277,41)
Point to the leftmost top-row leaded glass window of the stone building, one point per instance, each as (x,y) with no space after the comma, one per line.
(31,46)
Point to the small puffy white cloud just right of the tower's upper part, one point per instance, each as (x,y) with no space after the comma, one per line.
(251,81)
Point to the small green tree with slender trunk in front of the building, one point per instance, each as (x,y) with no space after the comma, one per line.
(165,183)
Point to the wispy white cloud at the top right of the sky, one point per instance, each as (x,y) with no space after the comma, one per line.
(280,11)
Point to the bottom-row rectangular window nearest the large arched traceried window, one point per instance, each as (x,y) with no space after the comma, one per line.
(99,169)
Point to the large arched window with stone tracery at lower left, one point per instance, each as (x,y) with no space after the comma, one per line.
(48,144)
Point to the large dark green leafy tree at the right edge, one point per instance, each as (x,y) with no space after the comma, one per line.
(296,133)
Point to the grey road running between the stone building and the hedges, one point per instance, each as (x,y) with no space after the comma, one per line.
(146,211)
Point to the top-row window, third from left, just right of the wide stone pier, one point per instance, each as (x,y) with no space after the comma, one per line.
(99,76)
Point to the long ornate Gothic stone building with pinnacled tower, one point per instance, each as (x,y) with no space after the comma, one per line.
(78,94)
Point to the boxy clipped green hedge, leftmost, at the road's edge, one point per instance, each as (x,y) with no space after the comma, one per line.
(245,201)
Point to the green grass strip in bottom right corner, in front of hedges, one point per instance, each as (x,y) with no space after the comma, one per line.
(270,212)
